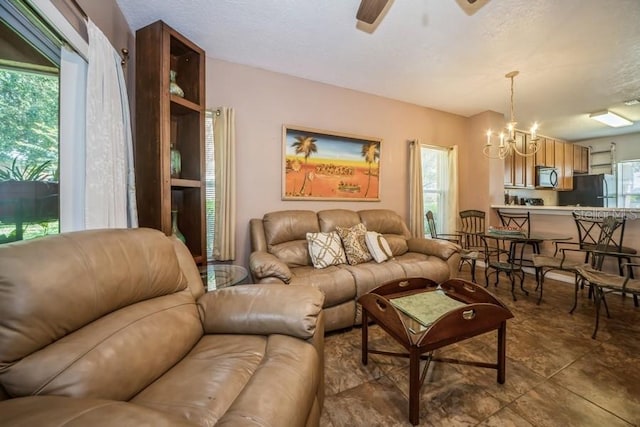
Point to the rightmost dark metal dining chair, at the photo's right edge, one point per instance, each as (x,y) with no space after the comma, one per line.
(602,283)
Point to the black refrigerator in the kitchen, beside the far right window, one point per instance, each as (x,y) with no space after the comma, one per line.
(590,190)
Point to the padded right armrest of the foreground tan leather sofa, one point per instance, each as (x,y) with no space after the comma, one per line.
(262,310)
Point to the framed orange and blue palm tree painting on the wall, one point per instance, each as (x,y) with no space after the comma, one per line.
(321,165)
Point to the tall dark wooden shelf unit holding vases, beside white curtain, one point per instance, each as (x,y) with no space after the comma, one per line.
(169,119)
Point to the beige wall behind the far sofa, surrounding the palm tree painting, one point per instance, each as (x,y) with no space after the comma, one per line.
(264,101)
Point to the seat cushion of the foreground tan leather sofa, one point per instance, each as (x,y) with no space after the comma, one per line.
(246,375)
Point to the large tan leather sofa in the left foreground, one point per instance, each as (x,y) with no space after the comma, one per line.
(113,327)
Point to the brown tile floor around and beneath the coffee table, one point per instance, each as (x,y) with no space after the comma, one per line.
(556,374)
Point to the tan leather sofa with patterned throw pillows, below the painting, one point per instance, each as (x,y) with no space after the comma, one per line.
(280,255)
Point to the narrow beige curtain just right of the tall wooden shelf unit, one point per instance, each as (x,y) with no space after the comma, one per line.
(224,135)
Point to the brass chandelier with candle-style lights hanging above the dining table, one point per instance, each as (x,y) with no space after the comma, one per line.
(507,137)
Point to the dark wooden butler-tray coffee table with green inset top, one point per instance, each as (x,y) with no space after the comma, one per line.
(455,311)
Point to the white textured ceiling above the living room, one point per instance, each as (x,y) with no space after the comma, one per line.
(574,56)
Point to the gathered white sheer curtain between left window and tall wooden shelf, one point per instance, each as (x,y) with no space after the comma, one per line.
(109,182)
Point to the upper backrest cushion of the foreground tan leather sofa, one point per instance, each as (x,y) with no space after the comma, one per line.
(55,285)
